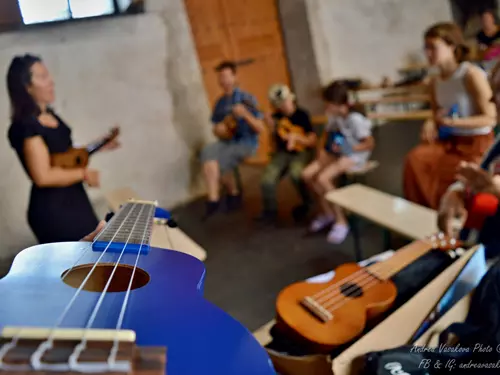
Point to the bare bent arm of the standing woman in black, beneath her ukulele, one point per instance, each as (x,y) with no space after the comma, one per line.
(42,173)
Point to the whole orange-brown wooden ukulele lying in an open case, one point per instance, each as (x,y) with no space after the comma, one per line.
(323,316)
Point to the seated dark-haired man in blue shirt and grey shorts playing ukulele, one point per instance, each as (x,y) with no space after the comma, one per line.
(237,122)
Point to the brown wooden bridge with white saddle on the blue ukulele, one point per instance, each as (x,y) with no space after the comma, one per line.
(27,349)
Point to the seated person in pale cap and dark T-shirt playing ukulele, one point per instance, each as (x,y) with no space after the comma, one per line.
(294,138)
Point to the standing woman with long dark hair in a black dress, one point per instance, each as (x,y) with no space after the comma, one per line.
(59,208)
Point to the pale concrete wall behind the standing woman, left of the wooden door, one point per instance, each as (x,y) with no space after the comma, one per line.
(138,71)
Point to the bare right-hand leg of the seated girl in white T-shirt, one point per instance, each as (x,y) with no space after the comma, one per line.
(325,180)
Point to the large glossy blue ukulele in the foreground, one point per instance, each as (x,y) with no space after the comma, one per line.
(118,305)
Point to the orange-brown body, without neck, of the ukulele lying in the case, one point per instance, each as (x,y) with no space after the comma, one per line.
(348,319)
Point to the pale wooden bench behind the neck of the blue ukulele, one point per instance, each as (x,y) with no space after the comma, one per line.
(163,237)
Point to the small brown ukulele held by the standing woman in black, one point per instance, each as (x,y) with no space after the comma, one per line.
(79,157)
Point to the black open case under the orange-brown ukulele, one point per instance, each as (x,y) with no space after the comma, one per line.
(408,281)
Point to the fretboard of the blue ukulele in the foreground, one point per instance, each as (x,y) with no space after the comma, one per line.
(130,229)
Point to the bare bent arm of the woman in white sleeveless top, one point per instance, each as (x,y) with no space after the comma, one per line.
(480,91)
